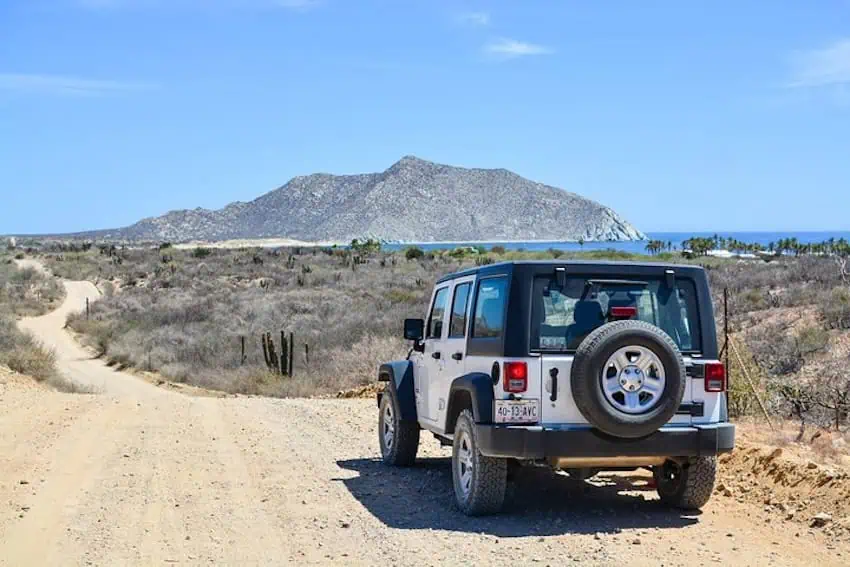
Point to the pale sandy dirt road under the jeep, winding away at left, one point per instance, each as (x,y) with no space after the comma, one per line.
(141,475)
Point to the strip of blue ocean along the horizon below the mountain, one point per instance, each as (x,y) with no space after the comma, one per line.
(639,246)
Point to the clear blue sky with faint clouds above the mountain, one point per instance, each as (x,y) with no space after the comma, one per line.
(721,115)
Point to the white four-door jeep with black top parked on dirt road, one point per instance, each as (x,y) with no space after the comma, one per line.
(581,366)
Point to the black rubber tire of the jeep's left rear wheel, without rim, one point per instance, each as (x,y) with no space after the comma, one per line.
(489,481)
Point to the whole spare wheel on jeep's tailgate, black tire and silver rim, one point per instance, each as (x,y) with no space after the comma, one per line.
(628,378)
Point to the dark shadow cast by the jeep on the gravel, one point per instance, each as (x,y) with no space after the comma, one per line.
(539,502)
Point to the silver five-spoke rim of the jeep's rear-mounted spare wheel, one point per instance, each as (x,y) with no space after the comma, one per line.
(633,380)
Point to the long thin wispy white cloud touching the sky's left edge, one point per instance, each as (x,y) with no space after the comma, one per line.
(65,85)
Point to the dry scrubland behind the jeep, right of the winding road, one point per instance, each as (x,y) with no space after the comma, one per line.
(184,312)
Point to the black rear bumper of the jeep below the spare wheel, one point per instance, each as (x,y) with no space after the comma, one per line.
(537,442)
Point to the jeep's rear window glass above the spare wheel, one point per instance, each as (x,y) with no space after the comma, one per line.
(563,317)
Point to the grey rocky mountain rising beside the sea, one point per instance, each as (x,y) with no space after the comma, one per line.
(414,201)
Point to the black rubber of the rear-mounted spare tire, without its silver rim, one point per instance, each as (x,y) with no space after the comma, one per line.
(585,378)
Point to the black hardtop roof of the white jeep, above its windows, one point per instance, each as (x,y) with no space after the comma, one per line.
(638,268)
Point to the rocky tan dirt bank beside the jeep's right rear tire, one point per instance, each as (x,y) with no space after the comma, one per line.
(796,491)
